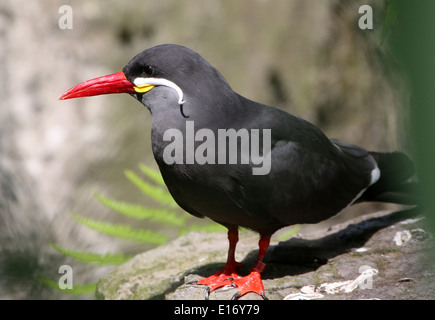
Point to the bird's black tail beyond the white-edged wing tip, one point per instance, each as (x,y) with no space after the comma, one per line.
(394,184)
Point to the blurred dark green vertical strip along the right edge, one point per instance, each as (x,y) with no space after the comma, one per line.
(414,46)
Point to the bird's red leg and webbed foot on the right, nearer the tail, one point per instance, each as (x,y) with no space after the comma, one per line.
(253,282)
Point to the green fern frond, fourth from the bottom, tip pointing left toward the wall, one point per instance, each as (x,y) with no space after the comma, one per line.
(141,213)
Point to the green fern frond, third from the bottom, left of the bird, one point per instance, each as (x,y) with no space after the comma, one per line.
(122,231)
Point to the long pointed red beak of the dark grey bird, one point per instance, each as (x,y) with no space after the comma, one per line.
(112,83)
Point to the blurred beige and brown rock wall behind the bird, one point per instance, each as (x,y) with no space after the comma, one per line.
(305,56)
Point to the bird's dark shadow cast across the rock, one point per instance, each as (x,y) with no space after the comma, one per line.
(298,256)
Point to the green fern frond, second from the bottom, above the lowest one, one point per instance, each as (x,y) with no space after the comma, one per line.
(94,258)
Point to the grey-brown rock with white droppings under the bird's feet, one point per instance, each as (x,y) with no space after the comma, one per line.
(358,260)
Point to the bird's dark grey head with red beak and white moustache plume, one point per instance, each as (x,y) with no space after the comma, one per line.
(160,77)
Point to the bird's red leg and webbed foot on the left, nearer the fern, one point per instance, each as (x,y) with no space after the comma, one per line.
(225,276)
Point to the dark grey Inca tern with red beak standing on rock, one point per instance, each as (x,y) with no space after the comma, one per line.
(306,177)
